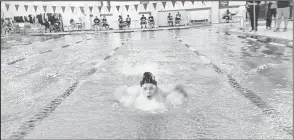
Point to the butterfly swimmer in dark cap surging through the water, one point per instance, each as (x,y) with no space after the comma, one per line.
(150,95)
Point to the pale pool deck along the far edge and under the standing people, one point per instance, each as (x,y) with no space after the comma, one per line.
(279,38)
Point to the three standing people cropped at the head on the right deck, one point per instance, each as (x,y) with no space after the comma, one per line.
(279,9)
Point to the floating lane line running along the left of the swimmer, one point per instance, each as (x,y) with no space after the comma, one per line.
(29,125)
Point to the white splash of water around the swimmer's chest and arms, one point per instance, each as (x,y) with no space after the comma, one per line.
(132,96)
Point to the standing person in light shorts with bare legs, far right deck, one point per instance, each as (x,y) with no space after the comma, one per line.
(283,10)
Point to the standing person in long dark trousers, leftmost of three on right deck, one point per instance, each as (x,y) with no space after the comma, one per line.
(250,8)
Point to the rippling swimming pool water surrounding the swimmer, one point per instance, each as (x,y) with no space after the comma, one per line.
(236,85)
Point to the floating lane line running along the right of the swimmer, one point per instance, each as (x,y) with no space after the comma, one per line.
(255,99)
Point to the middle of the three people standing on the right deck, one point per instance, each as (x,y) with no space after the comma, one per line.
(271,11)
